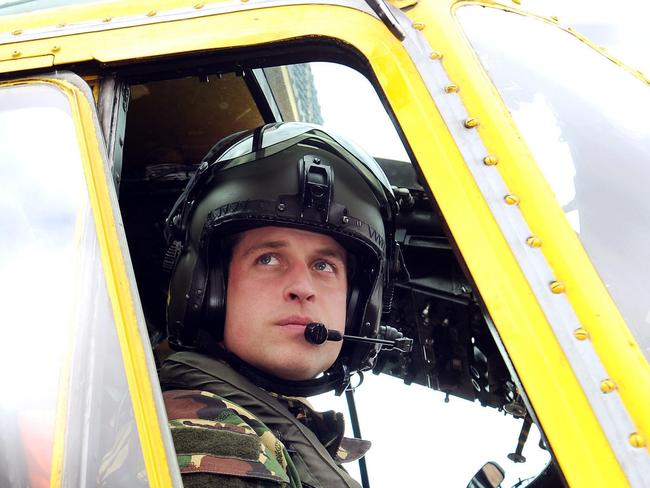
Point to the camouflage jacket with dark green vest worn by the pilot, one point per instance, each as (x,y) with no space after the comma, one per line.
(228,432)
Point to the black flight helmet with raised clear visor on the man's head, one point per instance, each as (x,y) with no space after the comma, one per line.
(285,174)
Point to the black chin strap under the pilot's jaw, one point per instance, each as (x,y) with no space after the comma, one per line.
(336,378)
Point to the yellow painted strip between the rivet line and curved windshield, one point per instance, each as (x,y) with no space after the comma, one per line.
(612,340)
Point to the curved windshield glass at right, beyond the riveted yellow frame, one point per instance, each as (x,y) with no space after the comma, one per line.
(585,121)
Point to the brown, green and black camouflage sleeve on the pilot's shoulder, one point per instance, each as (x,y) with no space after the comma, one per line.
(217,437)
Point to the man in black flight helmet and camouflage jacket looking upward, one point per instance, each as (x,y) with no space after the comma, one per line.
(281,228)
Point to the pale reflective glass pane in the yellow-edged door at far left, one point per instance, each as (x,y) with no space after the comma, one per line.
(58,330)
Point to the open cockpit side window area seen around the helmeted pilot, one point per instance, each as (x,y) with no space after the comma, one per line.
(456,353)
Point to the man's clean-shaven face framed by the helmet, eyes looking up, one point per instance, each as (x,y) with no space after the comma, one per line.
(279,280)
